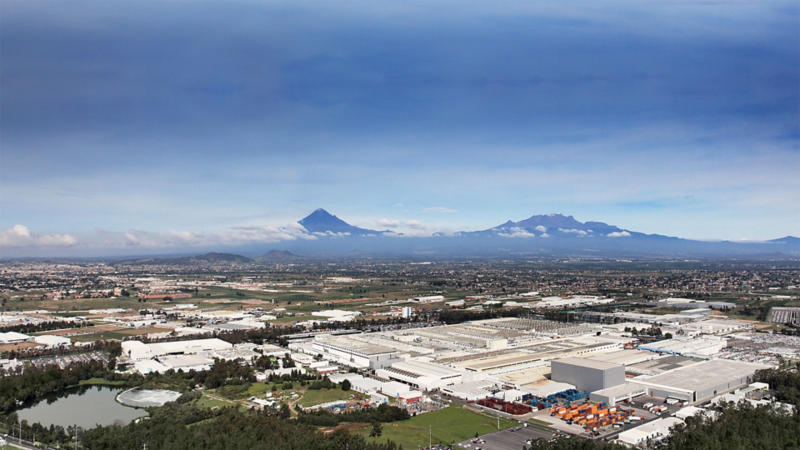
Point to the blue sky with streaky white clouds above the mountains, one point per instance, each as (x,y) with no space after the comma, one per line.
(155,126)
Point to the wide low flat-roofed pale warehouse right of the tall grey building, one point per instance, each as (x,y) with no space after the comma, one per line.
(700,381)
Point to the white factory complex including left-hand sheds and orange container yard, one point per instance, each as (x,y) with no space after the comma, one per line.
(585,374)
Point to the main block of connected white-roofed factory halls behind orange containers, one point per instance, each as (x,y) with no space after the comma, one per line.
(519,359)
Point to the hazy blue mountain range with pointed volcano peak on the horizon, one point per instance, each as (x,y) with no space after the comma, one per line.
(551,234)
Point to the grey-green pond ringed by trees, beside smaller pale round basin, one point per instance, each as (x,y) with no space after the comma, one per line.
(86,407)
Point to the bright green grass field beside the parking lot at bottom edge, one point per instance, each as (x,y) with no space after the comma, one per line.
(451,424)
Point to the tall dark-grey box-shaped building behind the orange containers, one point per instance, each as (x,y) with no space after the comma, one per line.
(587,375)
